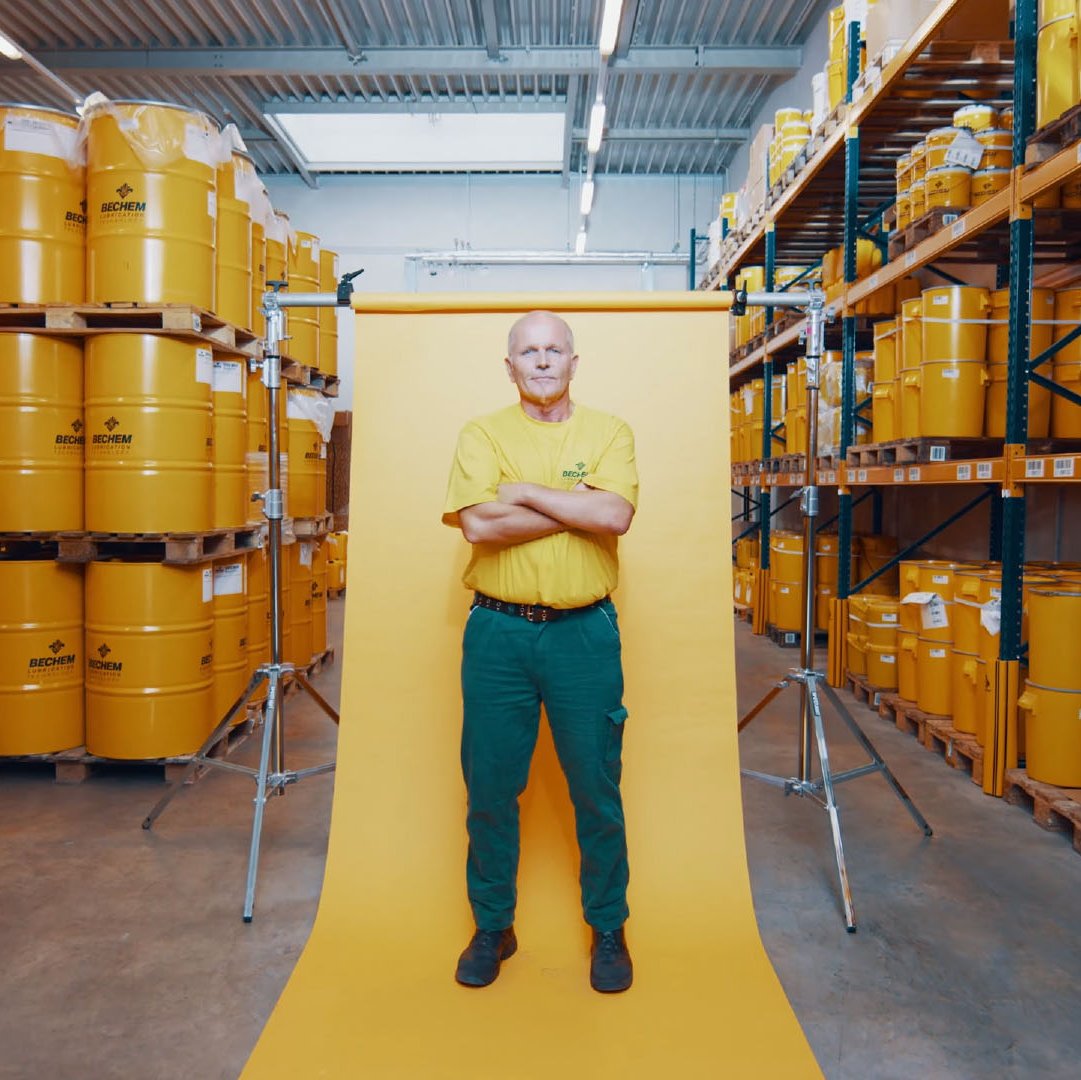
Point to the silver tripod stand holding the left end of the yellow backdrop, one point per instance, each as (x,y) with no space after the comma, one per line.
(272,777)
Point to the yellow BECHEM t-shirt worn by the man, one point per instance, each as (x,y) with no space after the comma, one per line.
(569,569)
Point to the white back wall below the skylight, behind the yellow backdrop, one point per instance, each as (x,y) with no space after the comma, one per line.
(376,222)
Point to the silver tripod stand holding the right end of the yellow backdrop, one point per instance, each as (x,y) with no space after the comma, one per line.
(822,790)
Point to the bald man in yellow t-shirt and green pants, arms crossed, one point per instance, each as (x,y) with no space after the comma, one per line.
(543,490)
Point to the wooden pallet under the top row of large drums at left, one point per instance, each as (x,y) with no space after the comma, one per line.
(86,321)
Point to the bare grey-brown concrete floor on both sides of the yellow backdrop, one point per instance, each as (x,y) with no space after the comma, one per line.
(125,955)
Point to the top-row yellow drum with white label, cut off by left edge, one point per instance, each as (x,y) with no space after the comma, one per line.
(43,207)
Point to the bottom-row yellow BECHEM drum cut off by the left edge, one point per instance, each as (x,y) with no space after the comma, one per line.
(42,657)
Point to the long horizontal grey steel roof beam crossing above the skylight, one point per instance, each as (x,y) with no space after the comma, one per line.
(429,63)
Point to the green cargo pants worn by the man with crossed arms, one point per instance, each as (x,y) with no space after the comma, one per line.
(510,668)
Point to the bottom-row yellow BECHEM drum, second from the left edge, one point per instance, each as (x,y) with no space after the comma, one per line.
(150,659)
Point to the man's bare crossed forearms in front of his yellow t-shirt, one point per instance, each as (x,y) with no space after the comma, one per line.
(524,512)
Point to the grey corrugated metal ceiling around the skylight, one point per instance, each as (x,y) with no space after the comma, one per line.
(679,114)
